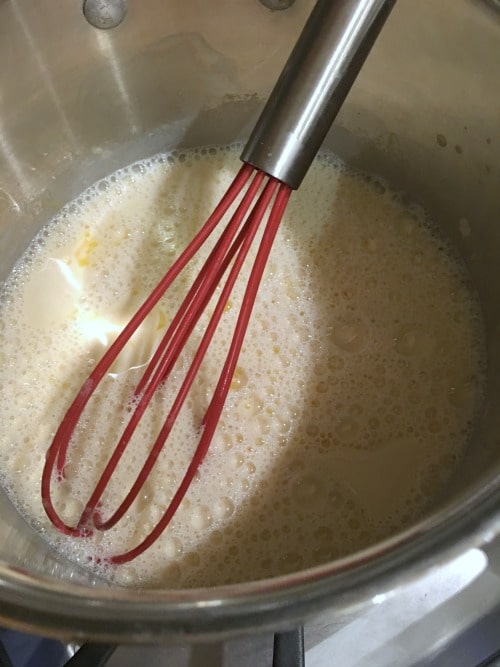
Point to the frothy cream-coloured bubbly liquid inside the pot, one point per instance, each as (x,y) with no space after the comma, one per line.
(353,398)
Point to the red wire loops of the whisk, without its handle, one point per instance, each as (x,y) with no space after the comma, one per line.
(263,194)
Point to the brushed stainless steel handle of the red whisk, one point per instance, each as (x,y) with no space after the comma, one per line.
(313,86)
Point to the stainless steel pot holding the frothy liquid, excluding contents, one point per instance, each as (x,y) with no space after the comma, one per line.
(76,102)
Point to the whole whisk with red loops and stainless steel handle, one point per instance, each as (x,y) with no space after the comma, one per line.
(308,95)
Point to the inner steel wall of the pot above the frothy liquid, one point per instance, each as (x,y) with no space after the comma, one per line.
(77,103)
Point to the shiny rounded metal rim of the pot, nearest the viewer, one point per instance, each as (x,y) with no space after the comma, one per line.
(61,608)
